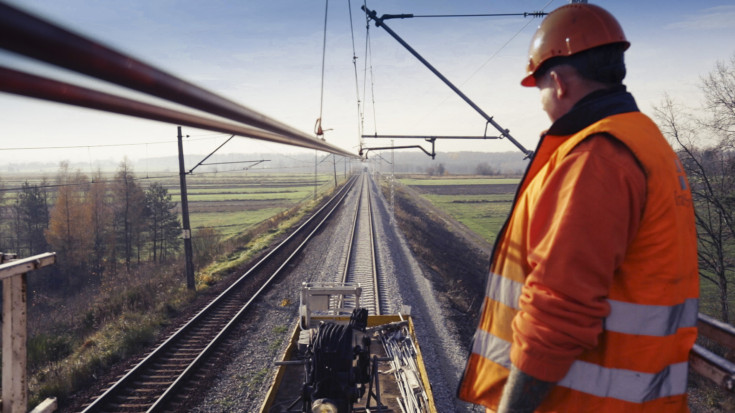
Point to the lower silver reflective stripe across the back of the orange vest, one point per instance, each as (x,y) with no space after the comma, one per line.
(628,385)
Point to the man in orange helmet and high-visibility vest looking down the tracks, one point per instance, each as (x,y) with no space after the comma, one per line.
(591,301)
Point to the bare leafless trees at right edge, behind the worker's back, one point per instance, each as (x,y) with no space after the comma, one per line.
(706,145)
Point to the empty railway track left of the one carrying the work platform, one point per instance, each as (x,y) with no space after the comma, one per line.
(156,382)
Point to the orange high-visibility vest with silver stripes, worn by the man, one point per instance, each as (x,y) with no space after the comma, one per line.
(641,362)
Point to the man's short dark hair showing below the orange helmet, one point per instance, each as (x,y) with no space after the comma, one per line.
(604,64)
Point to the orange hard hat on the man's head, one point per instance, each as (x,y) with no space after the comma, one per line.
(571,29)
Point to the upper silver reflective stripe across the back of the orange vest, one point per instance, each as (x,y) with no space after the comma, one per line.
(651,320)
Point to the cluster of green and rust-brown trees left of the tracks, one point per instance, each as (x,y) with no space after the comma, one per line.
(94,225)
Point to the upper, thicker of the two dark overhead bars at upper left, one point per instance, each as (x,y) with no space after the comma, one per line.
(31,36)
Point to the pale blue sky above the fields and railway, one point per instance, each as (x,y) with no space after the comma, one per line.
(267,55)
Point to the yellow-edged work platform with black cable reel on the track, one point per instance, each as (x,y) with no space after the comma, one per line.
(342,359)
